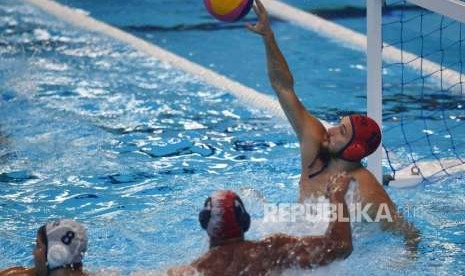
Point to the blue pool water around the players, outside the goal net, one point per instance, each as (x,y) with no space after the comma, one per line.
(94,130)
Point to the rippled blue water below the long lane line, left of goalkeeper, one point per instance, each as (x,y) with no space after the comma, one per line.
(85,135)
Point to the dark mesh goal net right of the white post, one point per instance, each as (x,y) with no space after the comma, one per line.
(423,90)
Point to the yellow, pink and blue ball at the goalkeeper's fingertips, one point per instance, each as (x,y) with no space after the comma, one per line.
(228,10)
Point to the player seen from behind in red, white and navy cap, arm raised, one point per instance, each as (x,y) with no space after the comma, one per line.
(225,219)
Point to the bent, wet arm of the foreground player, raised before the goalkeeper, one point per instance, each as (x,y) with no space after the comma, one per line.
(311,251)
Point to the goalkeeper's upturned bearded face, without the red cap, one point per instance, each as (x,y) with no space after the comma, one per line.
(338,136)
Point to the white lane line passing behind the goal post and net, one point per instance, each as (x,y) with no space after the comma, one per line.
(357,41)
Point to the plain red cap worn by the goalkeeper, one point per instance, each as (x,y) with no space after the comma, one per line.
(366,137)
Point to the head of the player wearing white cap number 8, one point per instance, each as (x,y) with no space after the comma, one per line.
(60,244)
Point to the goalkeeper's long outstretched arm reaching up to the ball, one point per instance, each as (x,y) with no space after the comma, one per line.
(305,125)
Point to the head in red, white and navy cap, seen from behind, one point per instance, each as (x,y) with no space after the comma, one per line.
(224,216)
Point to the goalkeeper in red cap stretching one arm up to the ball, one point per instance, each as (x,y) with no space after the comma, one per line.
(326,152)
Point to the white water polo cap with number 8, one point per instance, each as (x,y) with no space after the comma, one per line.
(66,243)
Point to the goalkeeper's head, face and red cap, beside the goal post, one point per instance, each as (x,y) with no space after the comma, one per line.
(356,137)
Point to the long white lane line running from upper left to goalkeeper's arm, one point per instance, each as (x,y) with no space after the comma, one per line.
(244,94)
